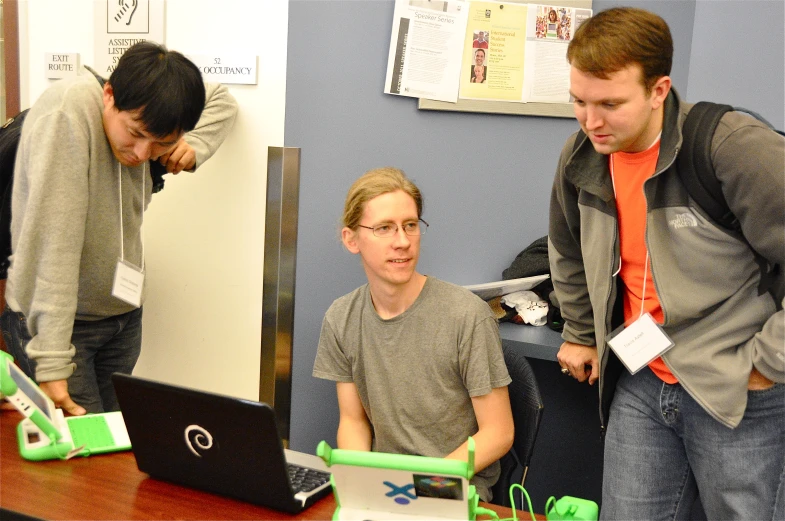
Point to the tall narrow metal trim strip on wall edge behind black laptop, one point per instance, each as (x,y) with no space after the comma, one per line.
(280,255)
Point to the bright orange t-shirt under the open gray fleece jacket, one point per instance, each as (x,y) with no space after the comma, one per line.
(629,171)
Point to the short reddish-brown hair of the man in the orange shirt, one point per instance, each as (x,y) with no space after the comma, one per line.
(617,38)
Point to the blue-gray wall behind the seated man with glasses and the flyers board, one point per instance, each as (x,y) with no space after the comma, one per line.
(486,178)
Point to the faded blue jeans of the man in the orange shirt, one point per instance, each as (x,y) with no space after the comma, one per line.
(662,450)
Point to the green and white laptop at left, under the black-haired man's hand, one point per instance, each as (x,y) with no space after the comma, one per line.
(46,434)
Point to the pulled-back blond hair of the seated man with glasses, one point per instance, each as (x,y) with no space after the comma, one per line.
(372,184)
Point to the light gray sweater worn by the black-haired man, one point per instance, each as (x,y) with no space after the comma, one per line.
(66,214)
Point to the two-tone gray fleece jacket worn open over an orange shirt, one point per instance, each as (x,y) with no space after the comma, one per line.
(706,277)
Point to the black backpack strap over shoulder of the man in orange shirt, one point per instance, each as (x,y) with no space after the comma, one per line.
(695,167)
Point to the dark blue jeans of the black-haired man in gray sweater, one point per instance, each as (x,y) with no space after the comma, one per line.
(106,346)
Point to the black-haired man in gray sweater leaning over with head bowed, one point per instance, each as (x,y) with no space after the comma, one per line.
(81,185)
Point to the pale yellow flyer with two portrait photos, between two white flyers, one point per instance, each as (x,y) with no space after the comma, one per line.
(493,52)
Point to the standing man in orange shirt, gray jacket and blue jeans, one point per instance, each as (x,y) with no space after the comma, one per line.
(661,305)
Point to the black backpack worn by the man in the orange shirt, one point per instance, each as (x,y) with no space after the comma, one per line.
(696,171)
